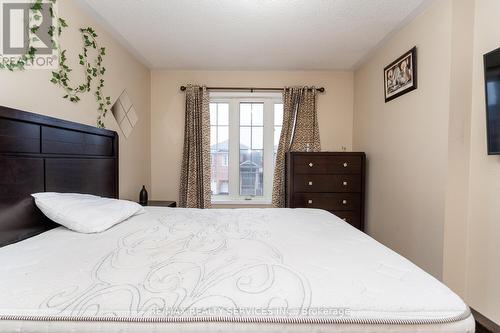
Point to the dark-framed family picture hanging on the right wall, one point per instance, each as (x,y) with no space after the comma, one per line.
(400,76)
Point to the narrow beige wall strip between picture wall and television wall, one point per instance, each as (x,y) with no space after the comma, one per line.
(457,189)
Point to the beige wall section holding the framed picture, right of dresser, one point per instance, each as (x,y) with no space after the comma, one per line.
(406,141)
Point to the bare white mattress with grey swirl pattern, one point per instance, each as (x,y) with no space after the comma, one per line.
(188,270)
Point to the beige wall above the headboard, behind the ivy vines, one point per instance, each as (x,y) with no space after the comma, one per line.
(31,91)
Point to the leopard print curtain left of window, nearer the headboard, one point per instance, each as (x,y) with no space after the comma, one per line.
(195,174)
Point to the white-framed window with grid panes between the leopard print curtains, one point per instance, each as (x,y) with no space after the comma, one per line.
(245,131)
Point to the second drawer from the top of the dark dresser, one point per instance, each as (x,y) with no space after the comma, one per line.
(327,183)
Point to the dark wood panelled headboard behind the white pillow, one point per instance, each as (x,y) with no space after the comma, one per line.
(44,154)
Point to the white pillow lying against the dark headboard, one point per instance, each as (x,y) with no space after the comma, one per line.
(83,212)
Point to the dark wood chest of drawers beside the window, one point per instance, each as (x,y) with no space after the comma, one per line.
(331,181)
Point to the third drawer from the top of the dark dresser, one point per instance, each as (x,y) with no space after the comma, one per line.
(328,201)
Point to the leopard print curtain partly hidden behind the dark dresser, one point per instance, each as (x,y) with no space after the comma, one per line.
(299,132)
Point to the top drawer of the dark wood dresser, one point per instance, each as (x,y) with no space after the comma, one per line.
(322,164)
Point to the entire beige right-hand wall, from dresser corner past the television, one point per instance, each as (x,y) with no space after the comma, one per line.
(433,190)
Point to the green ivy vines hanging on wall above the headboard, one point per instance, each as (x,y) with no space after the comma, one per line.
(94,71)
